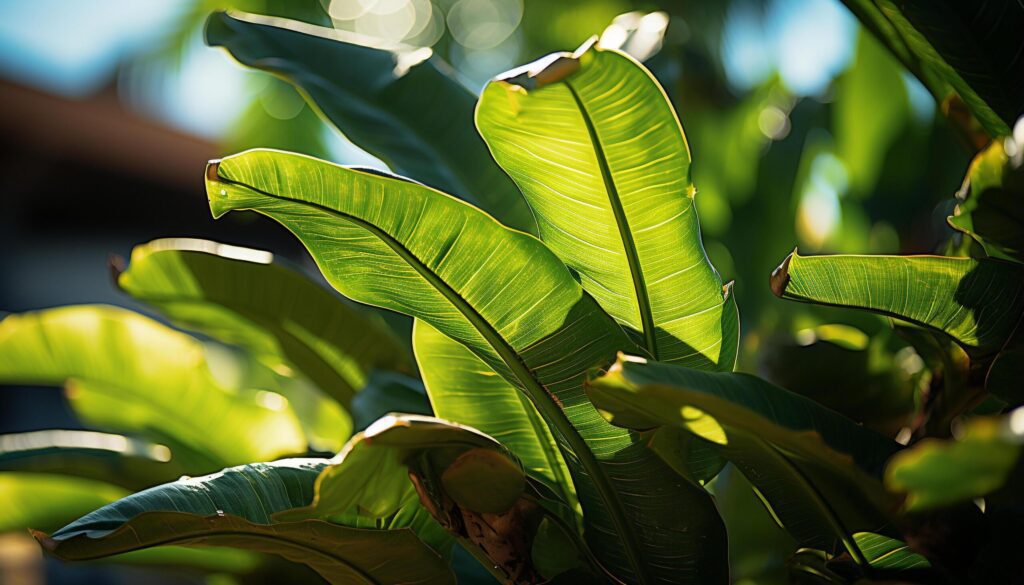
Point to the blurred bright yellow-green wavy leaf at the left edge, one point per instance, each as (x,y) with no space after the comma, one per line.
(129,373)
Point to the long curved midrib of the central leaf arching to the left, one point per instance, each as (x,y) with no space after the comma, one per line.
(538,394)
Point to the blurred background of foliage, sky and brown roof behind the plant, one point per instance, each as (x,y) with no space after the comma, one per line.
(804,131)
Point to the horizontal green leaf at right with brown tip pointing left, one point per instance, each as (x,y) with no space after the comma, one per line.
(977,303)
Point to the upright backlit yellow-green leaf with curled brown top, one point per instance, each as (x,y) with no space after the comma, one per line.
(595,146)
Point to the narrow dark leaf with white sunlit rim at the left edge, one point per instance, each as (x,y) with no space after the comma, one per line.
(129,463)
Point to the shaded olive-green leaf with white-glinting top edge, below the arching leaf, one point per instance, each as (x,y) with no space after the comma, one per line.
(246,298)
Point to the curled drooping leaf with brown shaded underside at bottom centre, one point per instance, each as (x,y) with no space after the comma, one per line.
(470,483)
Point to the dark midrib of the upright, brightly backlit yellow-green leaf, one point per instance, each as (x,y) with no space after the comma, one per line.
(626,235)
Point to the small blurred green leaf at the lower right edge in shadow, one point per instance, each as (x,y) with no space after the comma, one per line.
(942,473)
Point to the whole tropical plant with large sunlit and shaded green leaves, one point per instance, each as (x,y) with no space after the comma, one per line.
(569,405)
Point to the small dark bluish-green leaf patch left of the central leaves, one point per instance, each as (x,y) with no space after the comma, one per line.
(387,393)
